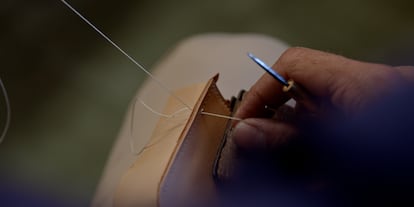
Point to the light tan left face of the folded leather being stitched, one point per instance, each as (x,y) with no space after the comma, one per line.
(139,184)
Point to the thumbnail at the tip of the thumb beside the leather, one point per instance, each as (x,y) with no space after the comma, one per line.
(248,137)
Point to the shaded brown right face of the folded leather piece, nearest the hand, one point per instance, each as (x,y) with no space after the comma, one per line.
(189,181)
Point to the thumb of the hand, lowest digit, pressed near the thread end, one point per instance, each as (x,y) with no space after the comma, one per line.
(262,134)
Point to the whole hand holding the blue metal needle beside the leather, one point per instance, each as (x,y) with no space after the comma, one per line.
(347,86)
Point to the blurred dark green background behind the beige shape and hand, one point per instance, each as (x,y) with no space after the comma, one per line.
(69,89)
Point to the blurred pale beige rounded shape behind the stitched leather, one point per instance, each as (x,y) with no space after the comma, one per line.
(192,61)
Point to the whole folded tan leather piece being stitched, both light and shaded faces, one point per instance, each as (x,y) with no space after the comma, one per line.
(175,168)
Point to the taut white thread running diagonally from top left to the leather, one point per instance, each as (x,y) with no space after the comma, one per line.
(126,55)
